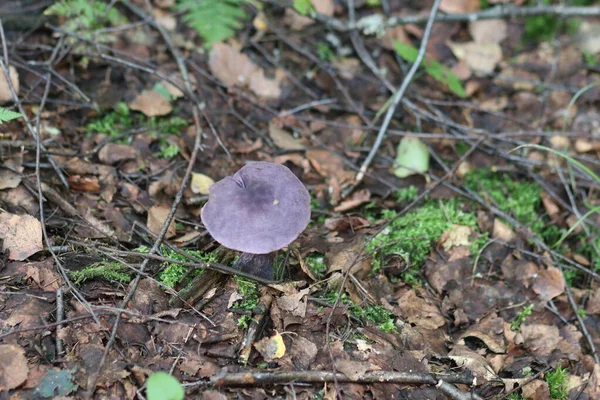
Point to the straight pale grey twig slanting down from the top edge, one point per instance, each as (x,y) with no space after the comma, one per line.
(399,93)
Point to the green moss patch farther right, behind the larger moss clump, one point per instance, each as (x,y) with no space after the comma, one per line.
(518,198)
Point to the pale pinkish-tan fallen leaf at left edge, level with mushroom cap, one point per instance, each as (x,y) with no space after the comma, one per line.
(22,235)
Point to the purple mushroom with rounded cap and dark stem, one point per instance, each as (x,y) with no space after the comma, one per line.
(260,209)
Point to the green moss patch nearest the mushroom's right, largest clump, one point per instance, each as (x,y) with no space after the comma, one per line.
(412,235)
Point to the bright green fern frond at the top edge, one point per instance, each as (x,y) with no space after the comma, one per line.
(214,20)
